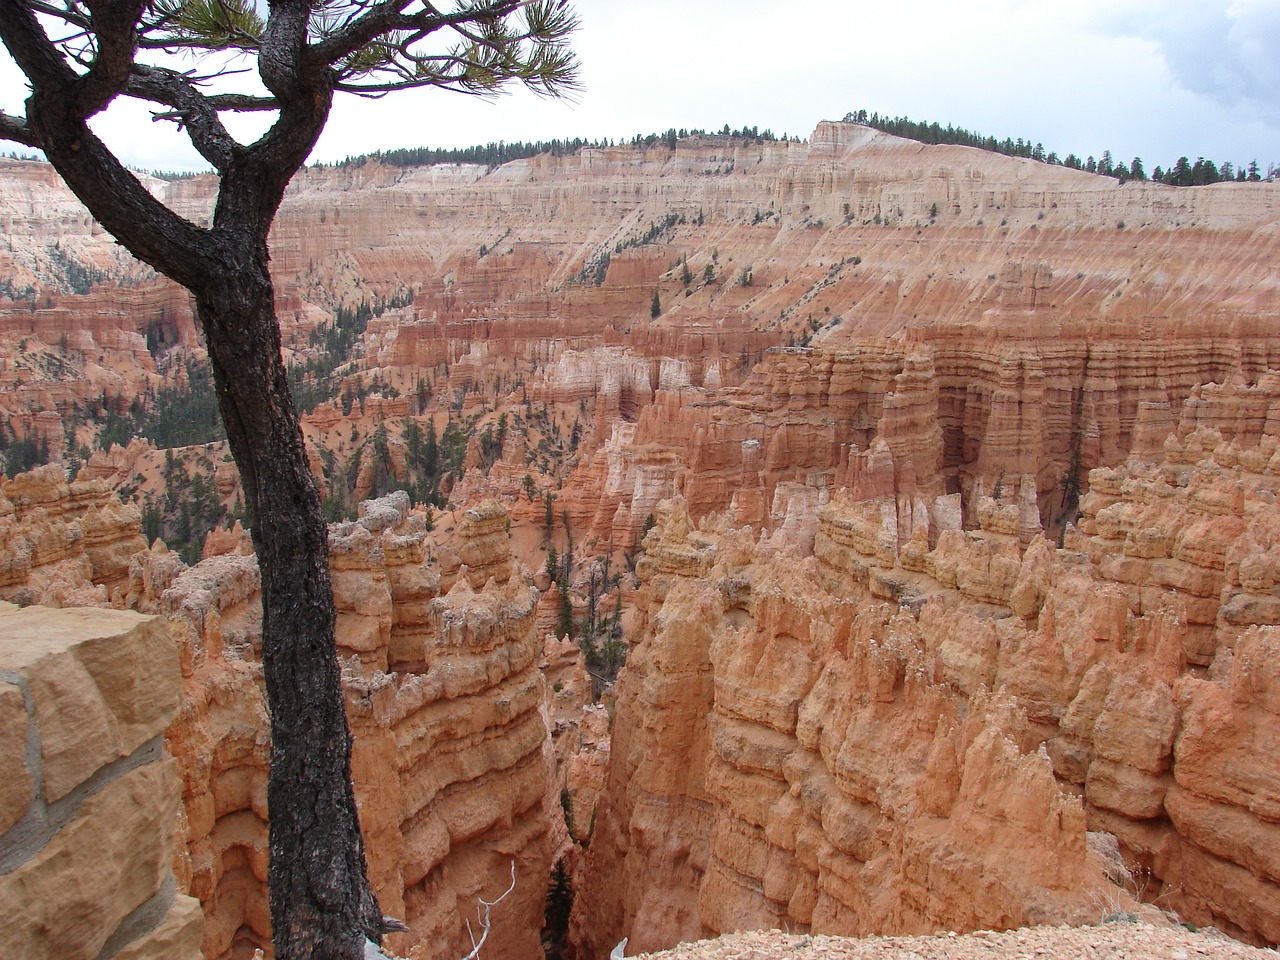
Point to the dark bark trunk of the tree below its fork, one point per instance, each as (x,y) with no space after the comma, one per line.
(322,903)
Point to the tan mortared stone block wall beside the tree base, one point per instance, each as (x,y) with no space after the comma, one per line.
(89,798)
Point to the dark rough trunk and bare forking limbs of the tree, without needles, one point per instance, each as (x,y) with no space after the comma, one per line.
(323,907)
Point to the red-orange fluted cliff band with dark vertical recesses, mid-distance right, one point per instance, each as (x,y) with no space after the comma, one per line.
(948,410)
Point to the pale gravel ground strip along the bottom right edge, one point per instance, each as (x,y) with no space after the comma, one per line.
(1112,941)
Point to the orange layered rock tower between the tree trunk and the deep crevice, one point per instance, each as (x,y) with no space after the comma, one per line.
(461,725)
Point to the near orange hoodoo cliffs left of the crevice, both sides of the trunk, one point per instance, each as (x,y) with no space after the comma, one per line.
(444,696)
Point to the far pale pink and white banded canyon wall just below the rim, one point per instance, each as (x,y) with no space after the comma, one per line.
(749,245)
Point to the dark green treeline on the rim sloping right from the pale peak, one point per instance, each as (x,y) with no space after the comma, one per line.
(1185,173)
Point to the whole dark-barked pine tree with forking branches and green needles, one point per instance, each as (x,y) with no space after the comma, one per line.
(322,903)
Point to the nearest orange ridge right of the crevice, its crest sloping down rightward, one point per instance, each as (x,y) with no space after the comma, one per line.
(784,756)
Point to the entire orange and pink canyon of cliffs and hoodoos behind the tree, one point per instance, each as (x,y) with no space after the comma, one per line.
(927,495)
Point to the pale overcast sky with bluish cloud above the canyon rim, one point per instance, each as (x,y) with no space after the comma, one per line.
(1150,79)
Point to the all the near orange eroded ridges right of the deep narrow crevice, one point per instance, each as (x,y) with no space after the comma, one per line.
(895,738)
